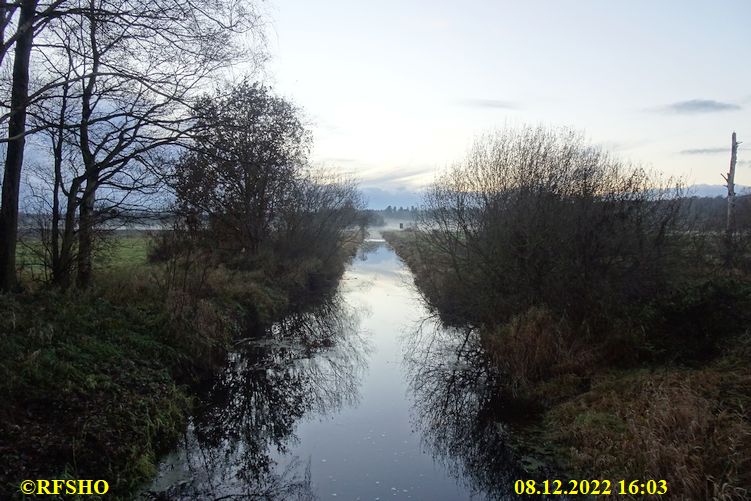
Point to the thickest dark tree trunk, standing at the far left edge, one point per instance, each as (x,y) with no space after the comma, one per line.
(15,149)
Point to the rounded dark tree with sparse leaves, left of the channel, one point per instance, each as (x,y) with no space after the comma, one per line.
(242,170)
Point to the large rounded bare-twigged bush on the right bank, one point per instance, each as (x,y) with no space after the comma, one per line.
(537,217)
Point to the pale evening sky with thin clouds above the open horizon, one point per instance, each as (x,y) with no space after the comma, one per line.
(396,91)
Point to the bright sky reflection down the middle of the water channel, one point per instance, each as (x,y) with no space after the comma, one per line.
(370,451)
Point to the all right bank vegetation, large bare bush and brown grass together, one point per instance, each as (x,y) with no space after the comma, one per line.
(604,301)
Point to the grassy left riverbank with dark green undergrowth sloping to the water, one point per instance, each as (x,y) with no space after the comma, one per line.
(97,384)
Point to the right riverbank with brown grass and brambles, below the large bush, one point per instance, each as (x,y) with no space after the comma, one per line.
(667,400)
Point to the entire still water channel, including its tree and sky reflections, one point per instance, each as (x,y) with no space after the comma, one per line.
(364,397)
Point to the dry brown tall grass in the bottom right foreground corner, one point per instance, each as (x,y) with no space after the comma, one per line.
(690,428)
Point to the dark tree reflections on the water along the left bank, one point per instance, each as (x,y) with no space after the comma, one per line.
(309,363)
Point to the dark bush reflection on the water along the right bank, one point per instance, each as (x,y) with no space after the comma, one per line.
(457,408)
